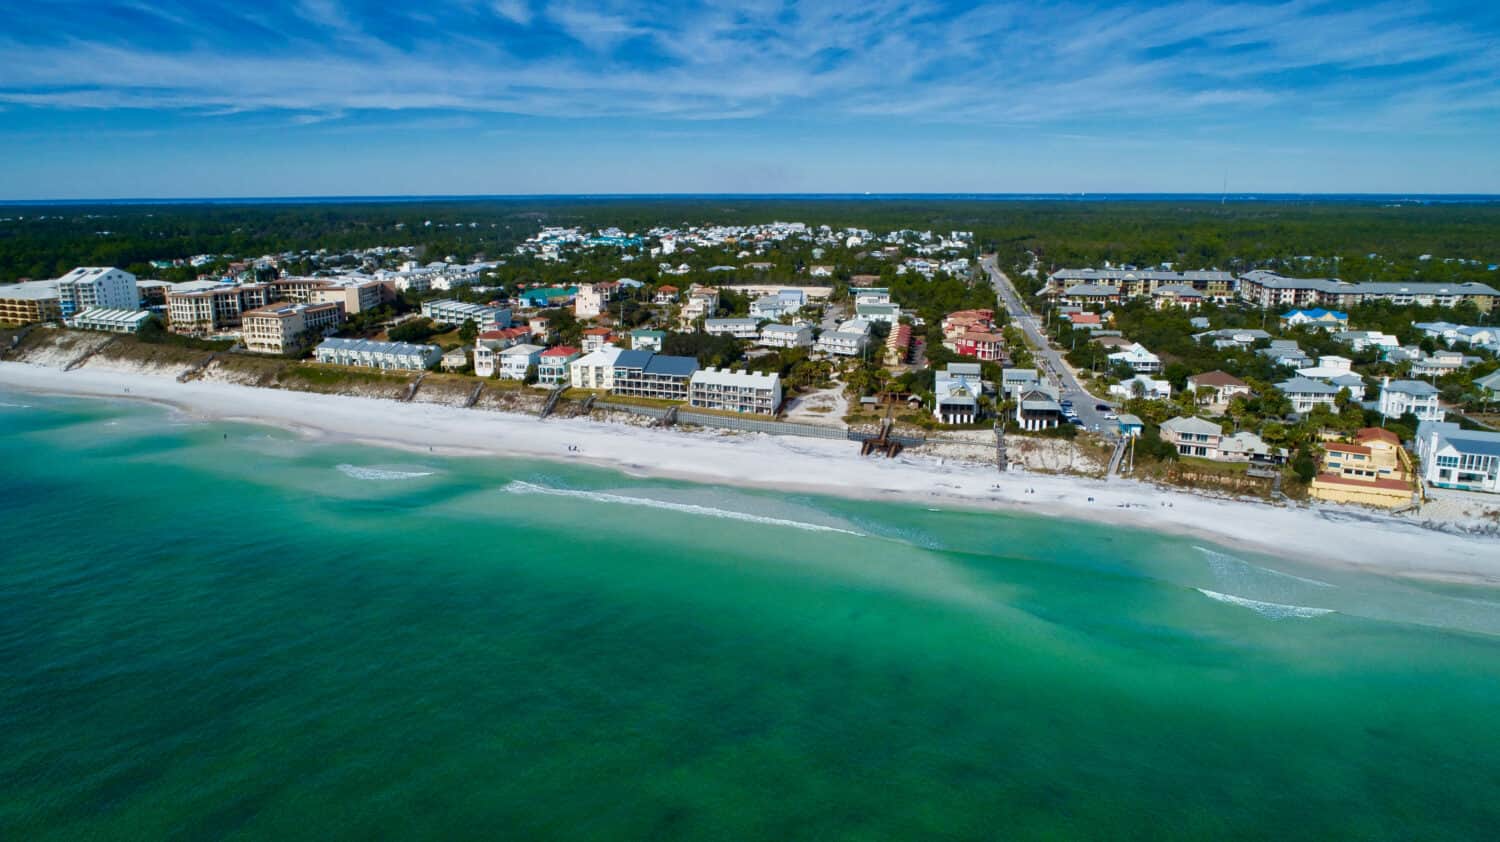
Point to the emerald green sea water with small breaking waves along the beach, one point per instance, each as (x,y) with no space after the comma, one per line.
(229,633)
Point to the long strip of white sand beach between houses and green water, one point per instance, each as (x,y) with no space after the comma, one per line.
(1357,538)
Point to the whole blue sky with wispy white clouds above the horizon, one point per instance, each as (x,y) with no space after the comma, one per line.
(104,100)
